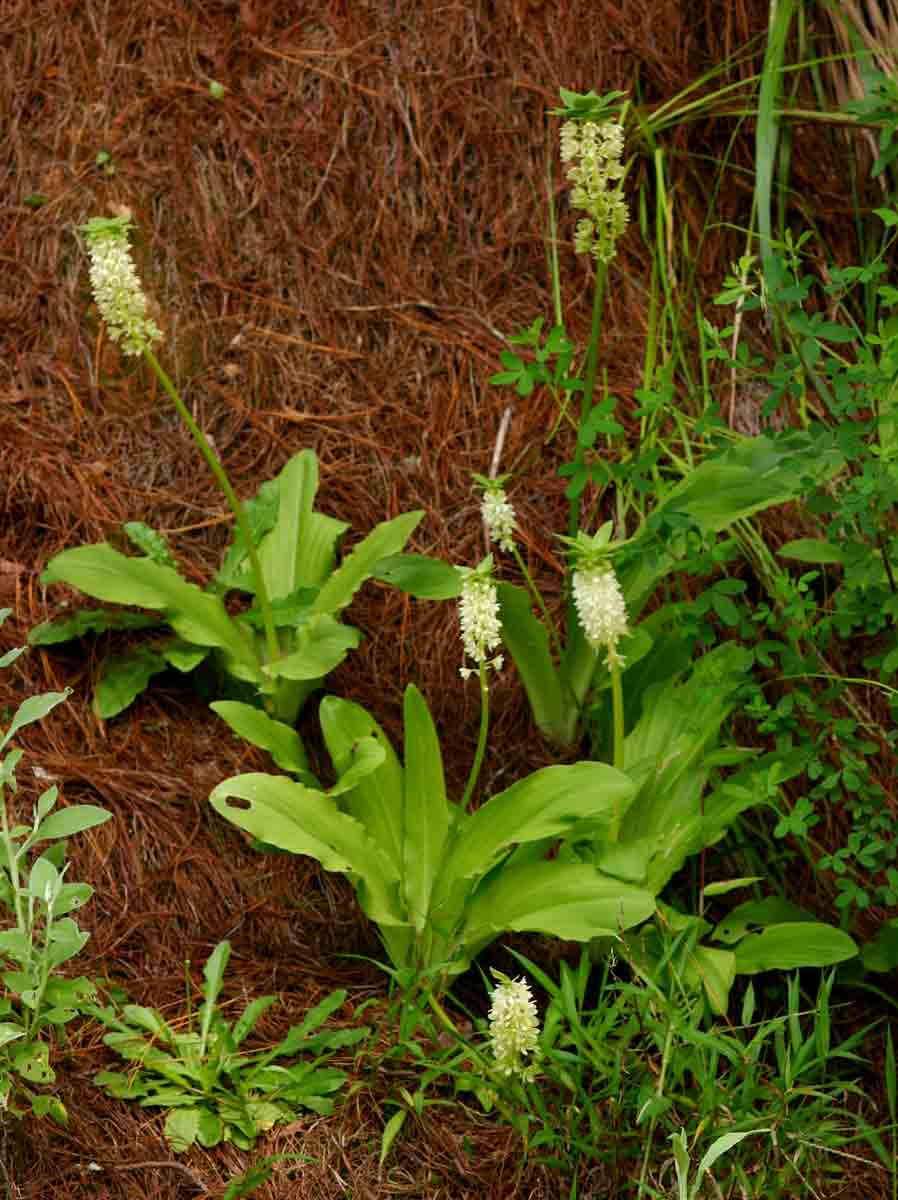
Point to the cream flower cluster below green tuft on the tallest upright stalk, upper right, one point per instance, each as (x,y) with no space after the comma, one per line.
(595,151)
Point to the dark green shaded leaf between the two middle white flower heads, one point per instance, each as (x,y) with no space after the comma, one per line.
(528,641)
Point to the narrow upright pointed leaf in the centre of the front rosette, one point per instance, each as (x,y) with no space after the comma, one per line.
(427,811)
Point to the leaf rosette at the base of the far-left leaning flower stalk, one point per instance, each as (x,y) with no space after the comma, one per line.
(308,590)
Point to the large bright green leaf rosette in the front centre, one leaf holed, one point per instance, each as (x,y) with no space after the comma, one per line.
(441,883)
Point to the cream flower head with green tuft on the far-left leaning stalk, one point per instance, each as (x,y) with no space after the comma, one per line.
(117,289)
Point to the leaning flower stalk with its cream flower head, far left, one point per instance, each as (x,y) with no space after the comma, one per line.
(123,305)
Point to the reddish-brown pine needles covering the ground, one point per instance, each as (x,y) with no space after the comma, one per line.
(334,248)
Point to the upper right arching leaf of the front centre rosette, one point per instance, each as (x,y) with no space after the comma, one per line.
(546,805)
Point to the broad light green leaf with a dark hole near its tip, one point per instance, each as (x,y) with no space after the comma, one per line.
(297,819)
